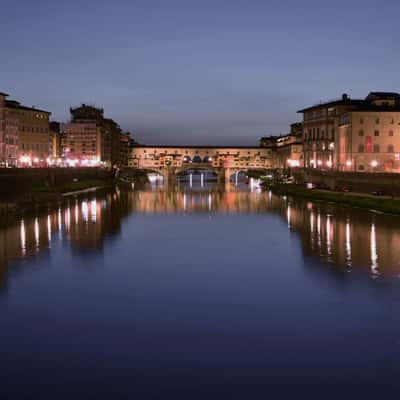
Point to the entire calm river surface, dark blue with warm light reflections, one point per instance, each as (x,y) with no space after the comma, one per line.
(201,292)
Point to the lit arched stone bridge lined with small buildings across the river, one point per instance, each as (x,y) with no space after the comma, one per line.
(170,161)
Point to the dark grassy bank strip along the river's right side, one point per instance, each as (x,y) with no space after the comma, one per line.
(382,204)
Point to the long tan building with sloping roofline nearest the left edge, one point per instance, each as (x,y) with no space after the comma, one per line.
(29,133)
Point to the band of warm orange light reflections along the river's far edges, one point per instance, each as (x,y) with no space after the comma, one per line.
(337,235)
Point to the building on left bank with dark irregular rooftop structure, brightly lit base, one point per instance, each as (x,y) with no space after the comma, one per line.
(90,138)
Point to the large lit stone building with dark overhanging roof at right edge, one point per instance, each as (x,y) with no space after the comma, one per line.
(360,135)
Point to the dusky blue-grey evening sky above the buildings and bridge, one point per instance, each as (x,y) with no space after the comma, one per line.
(218,72)
